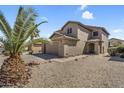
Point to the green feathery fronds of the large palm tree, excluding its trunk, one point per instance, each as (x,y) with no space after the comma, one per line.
(23,29)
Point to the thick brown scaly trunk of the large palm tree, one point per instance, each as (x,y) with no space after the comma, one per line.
(13,72)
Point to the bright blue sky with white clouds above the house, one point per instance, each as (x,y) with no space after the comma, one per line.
(110,17)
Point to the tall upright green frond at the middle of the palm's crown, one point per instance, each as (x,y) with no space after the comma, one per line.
(24,20)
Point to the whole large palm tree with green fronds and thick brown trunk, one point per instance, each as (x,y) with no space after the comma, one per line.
(14,71)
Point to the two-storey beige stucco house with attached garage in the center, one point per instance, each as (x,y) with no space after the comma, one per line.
(75,38)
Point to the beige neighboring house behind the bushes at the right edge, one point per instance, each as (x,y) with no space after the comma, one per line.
(113,42)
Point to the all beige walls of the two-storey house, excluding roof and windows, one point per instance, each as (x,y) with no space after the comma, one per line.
(65,48)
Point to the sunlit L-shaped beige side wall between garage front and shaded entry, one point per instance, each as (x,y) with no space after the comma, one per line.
(79,47)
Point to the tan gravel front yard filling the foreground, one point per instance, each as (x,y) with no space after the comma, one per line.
(92,71)
